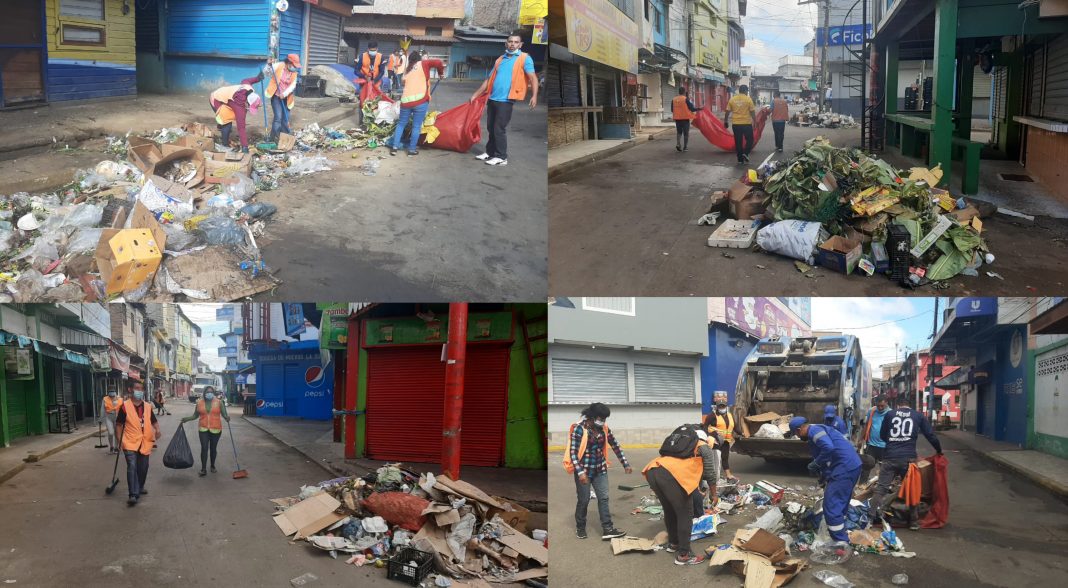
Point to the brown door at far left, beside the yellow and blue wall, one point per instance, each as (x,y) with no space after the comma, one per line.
(22,53)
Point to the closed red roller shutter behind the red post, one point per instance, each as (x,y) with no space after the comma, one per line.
(406,392)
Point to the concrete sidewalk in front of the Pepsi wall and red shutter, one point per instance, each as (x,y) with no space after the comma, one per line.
(315,440)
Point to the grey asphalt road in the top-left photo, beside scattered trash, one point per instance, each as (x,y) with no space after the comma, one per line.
(437,227)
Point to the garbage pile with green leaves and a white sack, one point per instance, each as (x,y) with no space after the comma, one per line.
(853,213)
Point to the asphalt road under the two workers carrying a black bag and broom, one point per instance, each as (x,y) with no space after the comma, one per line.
(60,529)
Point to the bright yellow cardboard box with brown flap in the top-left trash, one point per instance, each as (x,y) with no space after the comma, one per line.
(128,258)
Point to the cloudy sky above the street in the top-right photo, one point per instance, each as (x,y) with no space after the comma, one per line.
(774,29)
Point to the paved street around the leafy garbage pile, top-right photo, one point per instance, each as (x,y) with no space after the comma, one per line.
(629,225)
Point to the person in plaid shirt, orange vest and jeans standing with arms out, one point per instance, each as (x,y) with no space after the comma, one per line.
(587,458)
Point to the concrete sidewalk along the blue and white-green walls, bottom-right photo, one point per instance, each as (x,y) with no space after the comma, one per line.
(1047,471)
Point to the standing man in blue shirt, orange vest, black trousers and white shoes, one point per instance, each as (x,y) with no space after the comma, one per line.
(507,86)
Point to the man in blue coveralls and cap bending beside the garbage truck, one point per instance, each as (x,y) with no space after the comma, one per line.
(839,467)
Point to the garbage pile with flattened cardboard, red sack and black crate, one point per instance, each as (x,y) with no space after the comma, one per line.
(417,527)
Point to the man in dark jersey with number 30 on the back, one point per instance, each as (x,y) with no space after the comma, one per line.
(901,430)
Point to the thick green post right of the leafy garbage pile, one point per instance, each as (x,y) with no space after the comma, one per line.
(946,54)
